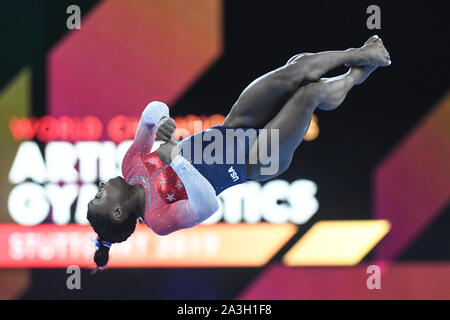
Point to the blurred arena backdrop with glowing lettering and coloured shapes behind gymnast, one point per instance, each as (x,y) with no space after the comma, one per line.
(369,186)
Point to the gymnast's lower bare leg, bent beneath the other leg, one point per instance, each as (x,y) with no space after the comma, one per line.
(293,120)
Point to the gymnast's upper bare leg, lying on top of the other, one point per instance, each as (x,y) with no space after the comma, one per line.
(265,96)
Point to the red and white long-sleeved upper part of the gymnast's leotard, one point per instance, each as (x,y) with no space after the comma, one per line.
(177,195)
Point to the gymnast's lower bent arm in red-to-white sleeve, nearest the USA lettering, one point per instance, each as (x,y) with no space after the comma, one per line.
(202,202)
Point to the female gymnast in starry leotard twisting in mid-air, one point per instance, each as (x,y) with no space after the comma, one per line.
(169,191)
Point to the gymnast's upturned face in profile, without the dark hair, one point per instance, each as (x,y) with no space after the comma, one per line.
(110,196)
